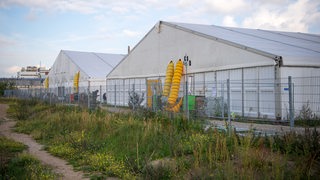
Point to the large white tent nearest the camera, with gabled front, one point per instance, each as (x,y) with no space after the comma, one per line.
(261,58)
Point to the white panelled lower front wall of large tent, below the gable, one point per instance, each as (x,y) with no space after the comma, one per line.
(252,89)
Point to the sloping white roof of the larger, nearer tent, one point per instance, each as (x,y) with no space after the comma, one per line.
(296,49)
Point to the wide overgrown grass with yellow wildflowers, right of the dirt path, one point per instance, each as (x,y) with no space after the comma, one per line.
(152,146)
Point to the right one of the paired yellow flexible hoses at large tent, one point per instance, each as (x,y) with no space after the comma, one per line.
(175,83)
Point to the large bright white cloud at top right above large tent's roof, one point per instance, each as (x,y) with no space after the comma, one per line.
(297,16)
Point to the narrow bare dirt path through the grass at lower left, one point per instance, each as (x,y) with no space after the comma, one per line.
(60,166)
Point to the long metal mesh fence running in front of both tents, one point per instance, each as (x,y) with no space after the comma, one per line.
(283,100)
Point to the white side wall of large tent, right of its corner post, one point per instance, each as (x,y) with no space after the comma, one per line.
(306,88)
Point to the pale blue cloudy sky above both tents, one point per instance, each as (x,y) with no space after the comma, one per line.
(32,32)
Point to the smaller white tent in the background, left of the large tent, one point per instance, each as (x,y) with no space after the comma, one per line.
(93,68)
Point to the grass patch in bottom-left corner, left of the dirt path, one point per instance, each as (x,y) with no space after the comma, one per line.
(15,164)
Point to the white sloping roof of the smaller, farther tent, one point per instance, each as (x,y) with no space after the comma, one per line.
(95,65)
